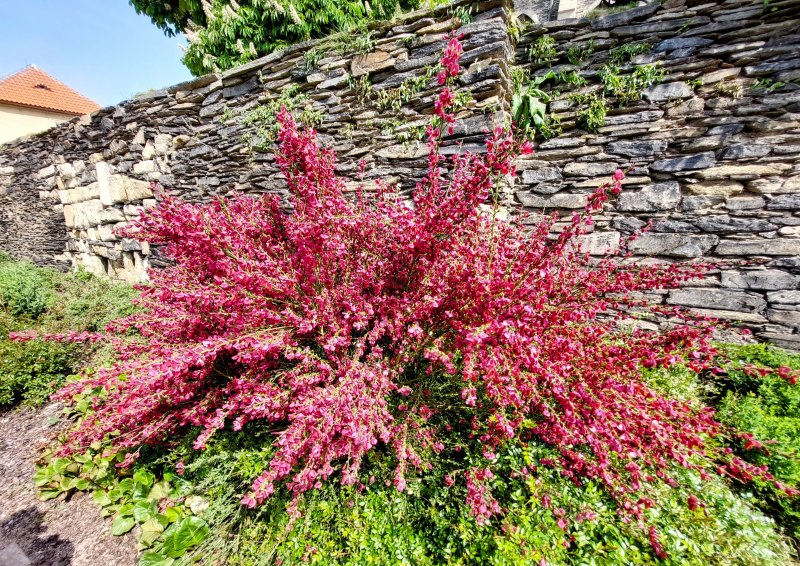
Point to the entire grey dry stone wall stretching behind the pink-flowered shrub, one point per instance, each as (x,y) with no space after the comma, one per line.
(713,149)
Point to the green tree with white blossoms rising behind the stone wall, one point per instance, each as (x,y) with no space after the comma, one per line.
(225,33)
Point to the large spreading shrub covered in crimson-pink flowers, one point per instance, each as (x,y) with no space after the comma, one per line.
(357,326)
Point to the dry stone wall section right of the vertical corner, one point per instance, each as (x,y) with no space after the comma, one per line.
(713,150)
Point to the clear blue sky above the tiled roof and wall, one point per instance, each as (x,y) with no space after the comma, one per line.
(101,48)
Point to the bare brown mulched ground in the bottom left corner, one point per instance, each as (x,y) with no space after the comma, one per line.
(52,533)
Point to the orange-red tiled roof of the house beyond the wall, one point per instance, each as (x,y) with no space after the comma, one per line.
(34,88)
